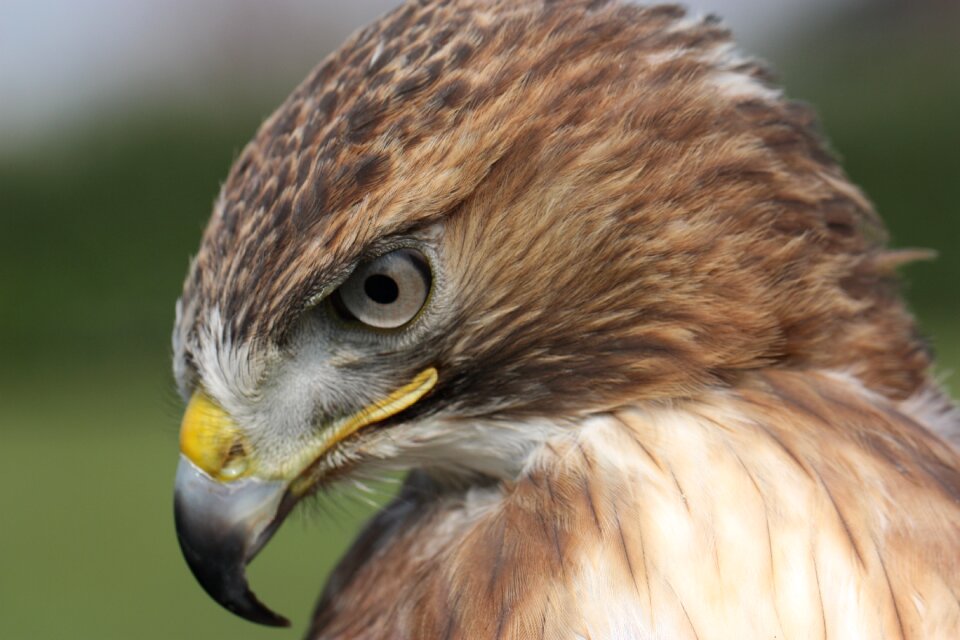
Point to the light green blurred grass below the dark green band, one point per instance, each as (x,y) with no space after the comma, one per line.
(88,546)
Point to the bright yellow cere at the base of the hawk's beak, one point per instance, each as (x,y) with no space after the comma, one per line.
(212,440)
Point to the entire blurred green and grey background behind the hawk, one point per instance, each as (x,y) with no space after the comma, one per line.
(119,119)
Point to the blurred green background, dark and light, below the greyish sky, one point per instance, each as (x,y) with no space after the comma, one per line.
(94,239)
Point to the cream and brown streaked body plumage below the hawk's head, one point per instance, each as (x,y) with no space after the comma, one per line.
(798,506)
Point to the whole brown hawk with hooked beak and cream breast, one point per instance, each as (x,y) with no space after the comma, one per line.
(582,271)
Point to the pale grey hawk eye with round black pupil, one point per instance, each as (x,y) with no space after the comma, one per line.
(387,292)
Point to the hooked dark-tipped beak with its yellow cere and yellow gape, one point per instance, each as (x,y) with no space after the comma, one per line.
(224,513)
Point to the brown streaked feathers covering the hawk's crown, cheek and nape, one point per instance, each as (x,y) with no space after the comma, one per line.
(681,231)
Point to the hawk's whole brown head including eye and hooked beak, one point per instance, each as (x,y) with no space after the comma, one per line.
(478,223)
